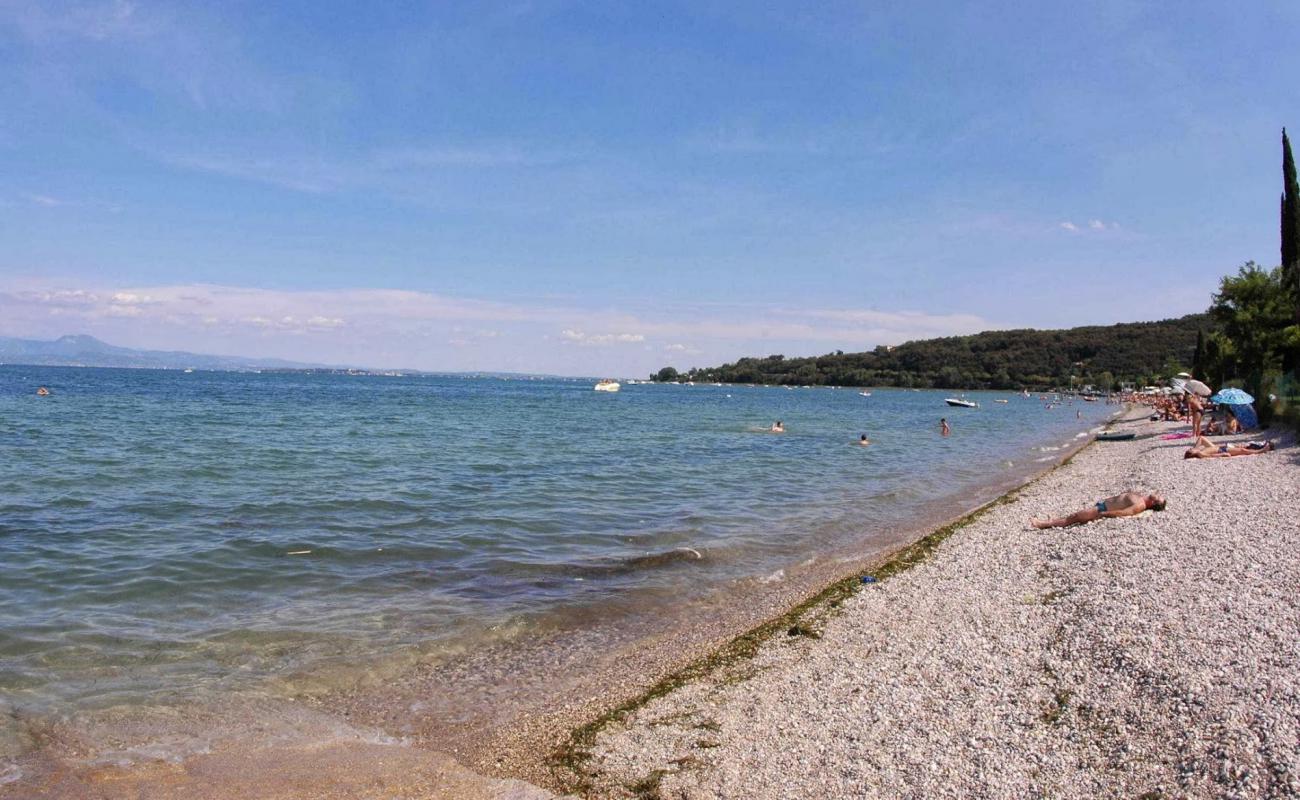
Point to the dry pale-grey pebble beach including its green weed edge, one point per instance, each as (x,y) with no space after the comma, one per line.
(1145,658)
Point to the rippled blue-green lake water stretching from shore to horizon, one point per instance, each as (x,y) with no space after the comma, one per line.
(167,535)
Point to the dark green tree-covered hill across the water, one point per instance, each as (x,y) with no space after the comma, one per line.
(1103,356)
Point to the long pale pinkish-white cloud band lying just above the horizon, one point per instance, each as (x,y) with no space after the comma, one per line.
(387,327)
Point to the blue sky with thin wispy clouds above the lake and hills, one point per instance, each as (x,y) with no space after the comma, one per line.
(612,188)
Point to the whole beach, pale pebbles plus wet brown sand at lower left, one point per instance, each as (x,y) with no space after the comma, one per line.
(1145,658)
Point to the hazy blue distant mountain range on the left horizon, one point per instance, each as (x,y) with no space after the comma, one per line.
(90,352)
